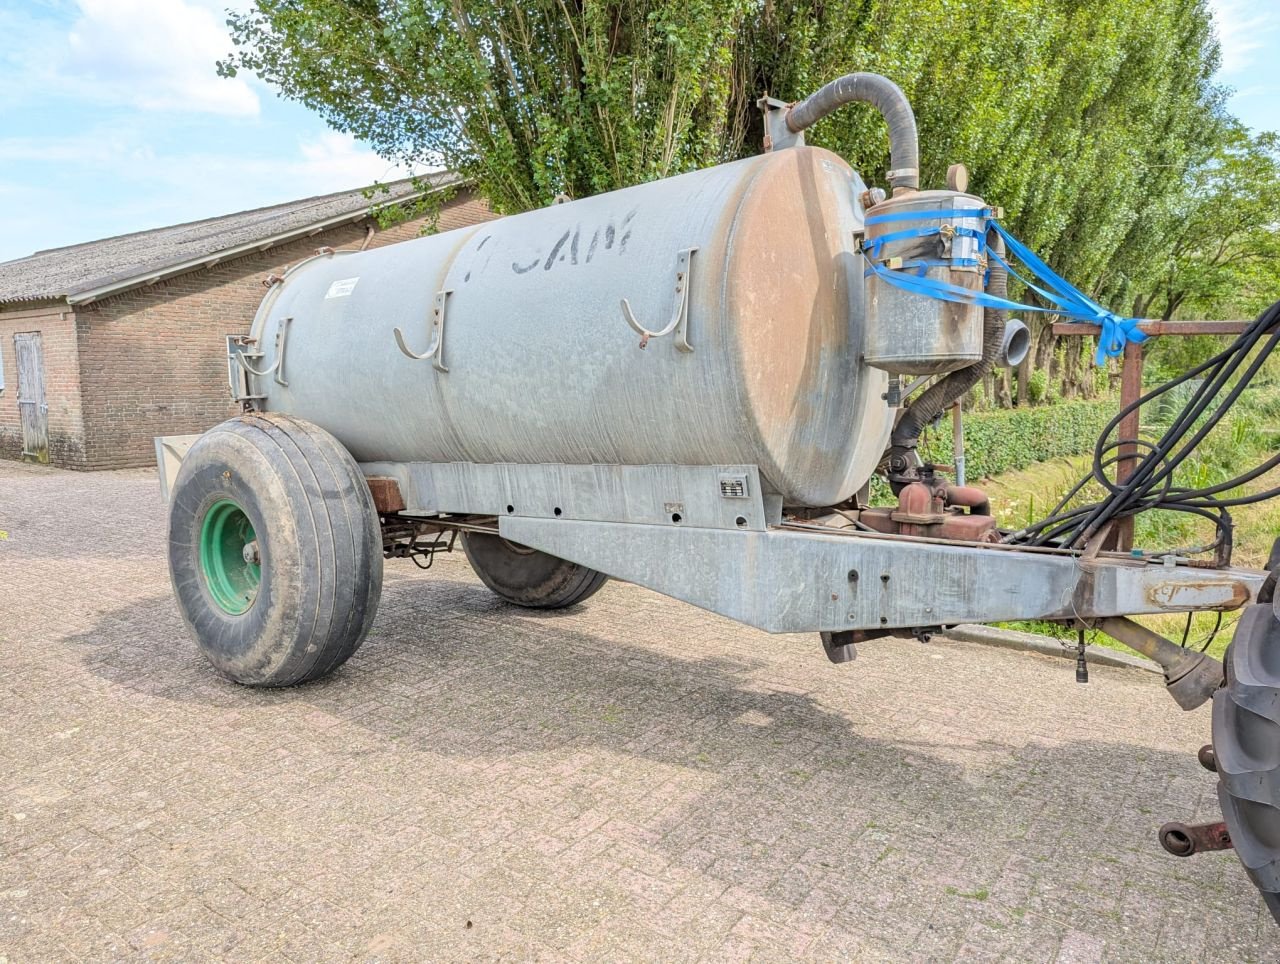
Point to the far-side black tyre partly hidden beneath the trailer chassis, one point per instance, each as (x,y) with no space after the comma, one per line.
(527,577)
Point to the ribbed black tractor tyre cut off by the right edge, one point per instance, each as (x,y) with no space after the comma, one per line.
(1247,748)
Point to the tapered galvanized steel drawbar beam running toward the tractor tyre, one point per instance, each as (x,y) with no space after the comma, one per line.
(807,579)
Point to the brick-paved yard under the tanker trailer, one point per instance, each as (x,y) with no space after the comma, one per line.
(630,780)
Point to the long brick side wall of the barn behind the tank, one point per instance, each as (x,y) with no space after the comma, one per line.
(154,360)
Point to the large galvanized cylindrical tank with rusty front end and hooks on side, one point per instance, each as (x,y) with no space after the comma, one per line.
(542,366)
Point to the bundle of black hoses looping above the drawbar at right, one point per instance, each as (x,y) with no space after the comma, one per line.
(1151,486)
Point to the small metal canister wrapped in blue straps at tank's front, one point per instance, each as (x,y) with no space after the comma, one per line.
(909,333)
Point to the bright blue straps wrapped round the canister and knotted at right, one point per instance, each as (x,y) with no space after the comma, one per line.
(1057,291)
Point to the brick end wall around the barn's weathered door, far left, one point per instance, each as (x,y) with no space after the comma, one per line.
(57,326)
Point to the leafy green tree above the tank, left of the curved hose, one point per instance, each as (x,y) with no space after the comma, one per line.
(528,98)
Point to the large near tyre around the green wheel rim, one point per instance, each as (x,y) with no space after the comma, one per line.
(319,541)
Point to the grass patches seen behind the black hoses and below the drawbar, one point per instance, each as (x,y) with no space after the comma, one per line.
(1249,436)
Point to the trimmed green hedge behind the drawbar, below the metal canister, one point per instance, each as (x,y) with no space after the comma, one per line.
(1014,438)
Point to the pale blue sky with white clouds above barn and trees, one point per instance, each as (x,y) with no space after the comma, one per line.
(113,118)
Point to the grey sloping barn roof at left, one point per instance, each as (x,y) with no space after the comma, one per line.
(76,272)
